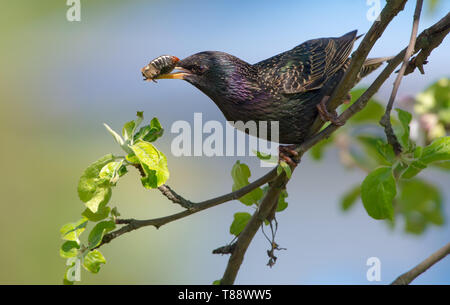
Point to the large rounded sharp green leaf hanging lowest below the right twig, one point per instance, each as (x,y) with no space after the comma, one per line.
(377,193)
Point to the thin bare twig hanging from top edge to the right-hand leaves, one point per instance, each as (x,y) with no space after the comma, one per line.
(386,119)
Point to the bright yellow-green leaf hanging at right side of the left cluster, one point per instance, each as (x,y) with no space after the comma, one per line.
(155,164)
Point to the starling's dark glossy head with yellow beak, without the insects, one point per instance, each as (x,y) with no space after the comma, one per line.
(217,74)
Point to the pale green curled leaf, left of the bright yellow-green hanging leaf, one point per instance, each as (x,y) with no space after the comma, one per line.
(88,183)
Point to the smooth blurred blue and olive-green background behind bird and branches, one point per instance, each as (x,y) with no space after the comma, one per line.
(62,80)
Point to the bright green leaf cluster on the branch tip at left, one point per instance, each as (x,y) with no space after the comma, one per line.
(95,190)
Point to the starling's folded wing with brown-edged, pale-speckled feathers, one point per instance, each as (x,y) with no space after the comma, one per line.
(307,66)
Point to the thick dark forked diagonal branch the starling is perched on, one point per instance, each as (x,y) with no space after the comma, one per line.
(271,198)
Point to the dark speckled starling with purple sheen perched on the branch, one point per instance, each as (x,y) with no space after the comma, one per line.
(291,88)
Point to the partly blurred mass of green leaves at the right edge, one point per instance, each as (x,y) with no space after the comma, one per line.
(391,188)
